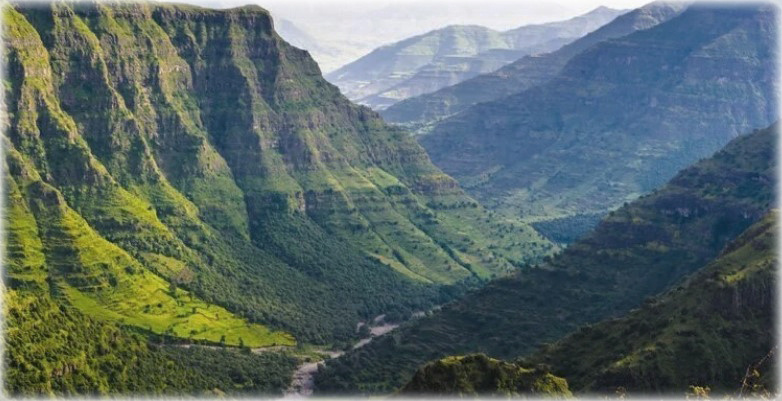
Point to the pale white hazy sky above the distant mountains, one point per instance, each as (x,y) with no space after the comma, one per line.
(339,31)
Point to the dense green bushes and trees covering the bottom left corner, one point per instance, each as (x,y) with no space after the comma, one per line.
(52,349)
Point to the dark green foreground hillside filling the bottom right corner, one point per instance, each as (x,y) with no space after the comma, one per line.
(710,334)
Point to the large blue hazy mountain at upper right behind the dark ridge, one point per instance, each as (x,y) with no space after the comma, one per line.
(620,118)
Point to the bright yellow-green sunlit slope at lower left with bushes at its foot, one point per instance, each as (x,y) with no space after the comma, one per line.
(55,349)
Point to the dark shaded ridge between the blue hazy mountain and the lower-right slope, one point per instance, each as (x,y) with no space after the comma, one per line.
(637,251)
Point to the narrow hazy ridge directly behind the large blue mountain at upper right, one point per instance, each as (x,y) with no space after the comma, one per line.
(421,111)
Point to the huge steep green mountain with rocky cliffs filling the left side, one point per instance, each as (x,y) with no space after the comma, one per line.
(185,174)
